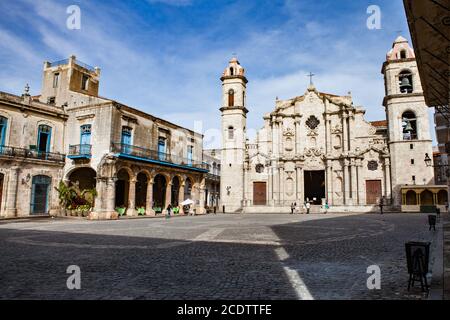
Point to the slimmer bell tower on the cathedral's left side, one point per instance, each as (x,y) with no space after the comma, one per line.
(234,118)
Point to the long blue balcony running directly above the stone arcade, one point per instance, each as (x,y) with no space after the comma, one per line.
(152,156)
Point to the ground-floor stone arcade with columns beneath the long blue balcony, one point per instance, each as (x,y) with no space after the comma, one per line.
(122,184)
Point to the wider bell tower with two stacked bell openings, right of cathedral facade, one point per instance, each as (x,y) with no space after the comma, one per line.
(408,120)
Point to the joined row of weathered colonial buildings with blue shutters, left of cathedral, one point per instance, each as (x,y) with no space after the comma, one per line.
(134,160)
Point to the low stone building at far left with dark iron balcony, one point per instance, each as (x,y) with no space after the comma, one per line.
(31,155)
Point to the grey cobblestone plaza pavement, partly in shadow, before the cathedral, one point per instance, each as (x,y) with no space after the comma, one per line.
(211,257)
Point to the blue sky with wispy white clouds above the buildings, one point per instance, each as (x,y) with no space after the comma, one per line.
(165,57)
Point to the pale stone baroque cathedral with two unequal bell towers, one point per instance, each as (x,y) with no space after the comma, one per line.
(318,147)
